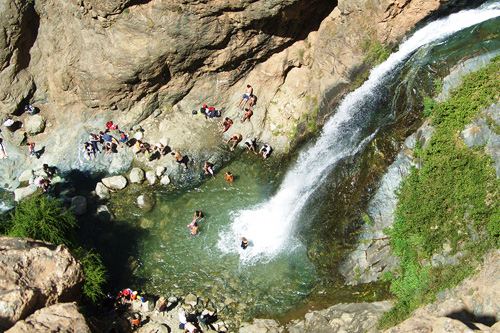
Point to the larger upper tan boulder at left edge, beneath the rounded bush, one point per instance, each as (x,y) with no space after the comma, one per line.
(33,275)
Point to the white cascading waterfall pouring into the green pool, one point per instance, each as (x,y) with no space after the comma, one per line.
(269,226)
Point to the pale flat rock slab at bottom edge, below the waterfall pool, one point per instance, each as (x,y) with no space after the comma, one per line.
(354,317)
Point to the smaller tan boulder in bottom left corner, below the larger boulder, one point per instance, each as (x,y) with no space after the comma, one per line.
(57,318)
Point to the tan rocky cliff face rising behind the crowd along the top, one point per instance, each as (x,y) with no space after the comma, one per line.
(151,62)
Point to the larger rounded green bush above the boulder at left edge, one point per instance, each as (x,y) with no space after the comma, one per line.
(45,219)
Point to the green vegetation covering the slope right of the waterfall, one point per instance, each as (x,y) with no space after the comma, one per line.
(451,202)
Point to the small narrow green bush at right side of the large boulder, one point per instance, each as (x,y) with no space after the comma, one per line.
(95,274)
